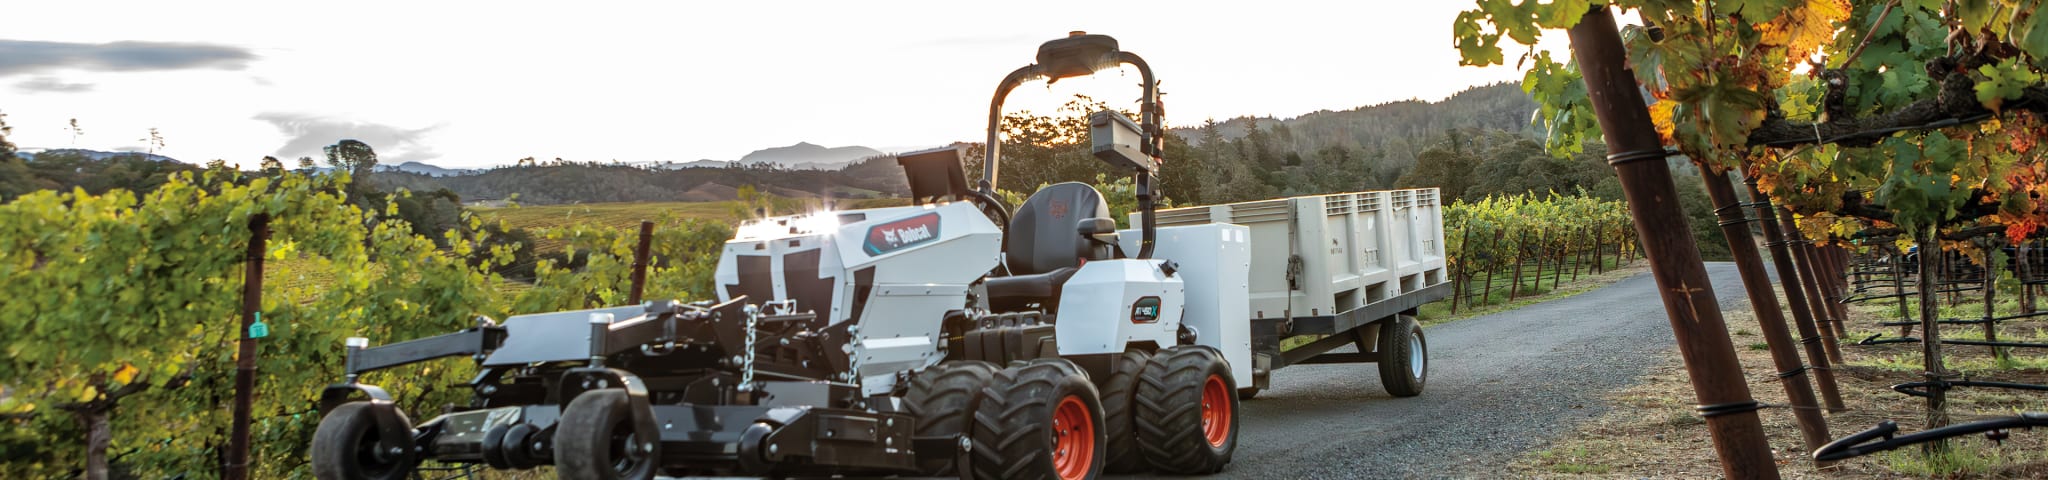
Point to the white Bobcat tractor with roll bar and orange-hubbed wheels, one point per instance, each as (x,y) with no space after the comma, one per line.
(1052,339)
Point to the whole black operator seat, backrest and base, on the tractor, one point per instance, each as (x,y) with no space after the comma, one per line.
(1048,245)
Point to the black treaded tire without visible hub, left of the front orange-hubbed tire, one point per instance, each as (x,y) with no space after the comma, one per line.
(943,399)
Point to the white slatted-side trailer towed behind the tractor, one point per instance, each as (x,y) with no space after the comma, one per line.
(1338,270)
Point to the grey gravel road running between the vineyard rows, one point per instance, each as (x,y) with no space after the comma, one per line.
(1498,387)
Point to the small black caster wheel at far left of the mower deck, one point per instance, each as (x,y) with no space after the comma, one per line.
(345,448)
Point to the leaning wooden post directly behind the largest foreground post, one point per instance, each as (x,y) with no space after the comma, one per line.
(1764,301)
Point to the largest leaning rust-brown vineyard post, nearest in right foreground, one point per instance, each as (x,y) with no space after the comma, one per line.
(1682,284)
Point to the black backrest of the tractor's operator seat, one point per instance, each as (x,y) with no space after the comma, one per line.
(1046,231)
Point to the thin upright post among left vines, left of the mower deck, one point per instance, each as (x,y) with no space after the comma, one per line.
(239,438)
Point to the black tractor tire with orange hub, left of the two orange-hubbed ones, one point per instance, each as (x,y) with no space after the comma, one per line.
(1029,424)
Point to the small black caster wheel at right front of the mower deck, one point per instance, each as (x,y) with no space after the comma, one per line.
(593,440)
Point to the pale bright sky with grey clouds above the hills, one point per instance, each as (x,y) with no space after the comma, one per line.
(490,83)
